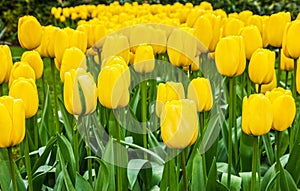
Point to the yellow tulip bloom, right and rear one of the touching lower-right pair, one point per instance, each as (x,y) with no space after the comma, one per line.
(283,107)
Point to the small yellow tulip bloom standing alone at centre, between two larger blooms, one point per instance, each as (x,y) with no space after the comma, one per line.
(144,61)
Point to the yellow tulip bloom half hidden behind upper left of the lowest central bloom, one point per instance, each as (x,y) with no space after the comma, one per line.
(167,92)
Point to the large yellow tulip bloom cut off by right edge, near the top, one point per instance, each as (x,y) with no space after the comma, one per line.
(290,44)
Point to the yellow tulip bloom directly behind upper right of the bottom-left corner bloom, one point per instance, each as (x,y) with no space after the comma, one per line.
(26,90)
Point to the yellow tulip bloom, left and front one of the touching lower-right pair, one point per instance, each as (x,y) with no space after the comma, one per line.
(257,115)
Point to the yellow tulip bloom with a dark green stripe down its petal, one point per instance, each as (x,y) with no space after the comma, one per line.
(80,92)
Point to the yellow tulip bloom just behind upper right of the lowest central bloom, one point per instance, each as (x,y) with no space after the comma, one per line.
(199,91)
